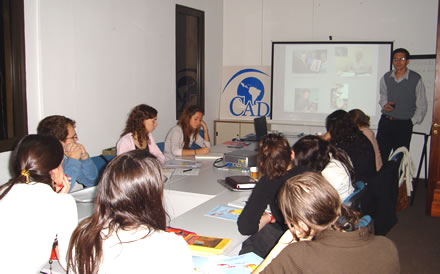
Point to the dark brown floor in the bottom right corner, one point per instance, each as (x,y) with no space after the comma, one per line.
(417,237)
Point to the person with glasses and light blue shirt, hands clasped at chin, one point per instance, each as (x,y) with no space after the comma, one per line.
(77,163)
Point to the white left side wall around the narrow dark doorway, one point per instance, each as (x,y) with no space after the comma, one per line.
(94,60)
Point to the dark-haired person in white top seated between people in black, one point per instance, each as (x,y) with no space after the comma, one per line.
(333,163)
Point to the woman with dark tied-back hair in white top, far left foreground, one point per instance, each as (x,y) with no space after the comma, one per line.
(34,206)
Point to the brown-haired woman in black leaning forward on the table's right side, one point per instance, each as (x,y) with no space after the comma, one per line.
(275,166)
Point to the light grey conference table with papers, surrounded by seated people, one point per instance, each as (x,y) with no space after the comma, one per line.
(188,199)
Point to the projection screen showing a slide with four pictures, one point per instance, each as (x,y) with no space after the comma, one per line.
(311,80)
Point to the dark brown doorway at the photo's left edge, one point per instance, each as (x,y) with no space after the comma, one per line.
(13,117)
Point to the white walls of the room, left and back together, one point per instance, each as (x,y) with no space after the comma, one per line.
(93,60)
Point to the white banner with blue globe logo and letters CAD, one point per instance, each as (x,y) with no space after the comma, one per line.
(245,93)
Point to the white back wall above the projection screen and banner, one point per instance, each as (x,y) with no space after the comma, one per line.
(250,26)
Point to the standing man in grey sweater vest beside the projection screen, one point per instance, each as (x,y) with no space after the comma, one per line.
(403,102)
